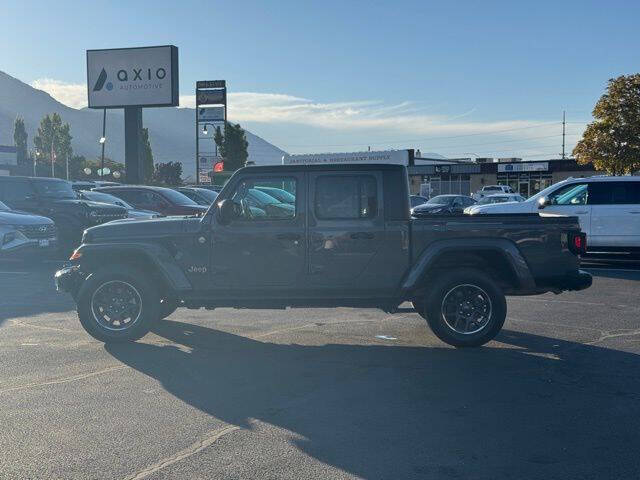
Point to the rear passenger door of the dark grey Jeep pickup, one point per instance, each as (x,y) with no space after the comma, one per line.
(346,230)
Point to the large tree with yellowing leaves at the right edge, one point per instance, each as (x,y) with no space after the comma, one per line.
(612,141)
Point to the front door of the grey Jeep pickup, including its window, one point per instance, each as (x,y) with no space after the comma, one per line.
(265,245)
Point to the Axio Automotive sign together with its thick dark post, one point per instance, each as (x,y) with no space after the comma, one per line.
(133,78)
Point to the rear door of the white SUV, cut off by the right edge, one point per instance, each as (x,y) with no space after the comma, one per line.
(615,214)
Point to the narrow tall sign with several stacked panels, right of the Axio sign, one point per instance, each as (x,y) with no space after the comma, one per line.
(211,113)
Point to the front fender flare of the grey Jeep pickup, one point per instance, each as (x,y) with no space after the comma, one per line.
(155,254)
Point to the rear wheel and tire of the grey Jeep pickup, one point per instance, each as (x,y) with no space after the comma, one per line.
(465,308)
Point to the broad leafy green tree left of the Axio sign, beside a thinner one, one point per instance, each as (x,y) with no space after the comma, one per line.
(53,137)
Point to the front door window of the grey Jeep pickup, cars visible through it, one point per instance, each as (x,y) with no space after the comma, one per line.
(253,203)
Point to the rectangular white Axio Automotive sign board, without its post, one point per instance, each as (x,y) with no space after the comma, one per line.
(143,77)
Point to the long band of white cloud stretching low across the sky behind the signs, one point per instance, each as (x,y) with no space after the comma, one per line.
(352,124)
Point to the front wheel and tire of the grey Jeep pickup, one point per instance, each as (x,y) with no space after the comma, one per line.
(134,295)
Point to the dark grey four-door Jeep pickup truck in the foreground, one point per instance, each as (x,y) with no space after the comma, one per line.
(348,240)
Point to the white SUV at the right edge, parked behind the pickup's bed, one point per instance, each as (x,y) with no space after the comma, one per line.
(608,209)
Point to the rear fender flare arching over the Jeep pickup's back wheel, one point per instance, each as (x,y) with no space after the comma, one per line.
(504,247)
